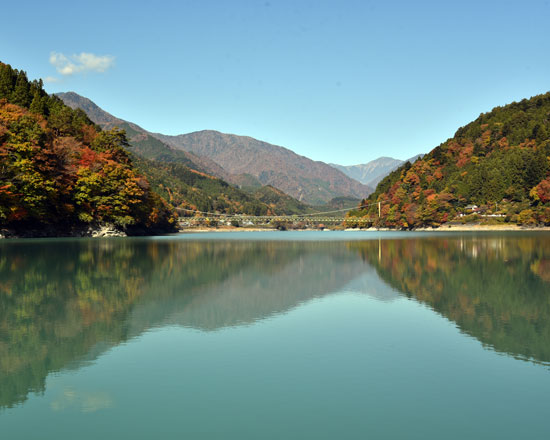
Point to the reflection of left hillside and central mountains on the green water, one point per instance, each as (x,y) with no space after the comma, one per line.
(65,302)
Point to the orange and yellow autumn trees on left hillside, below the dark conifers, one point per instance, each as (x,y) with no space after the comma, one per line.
(48,177)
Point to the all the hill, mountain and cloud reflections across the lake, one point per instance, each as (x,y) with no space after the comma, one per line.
(64,302)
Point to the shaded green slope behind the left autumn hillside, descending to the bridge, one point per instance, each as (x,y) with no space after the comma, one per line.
(184,179)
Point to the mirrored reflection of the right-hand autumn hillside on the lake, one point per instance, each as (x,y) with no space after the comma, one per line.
(496,289)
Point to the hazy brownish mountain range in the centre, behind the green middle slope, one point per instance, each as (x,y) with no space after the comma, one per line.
(241,160)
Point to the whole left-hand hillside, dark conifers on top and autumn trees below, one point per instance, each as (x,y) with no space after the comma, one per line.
(58,168)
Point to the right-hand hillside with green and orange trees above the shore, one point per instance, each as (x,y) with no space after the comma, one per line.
(499,163)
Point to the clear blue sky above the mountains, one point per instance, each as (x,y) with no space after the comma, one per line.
(338,81)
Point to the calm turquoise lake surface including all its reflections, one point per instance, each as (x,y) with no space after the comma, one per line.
(276,335)
